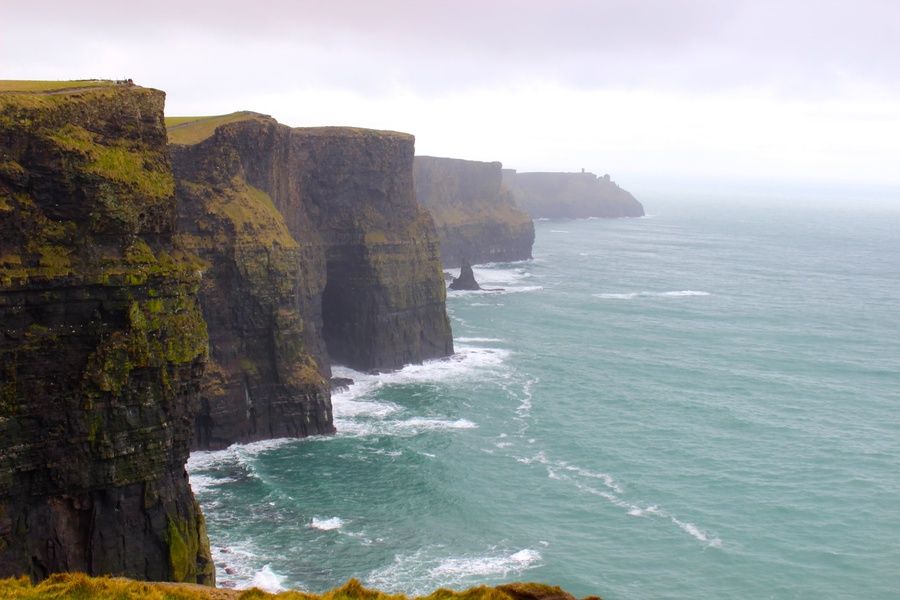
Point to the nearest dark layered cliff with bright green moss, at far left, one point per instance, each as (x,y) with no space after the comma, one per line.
(103,343)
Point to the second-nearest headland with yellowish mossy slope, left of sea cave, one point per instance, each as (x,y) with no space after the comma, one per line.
(262,381)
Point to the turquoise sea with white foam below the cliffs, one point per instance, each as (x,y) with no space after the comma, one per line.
(704,403)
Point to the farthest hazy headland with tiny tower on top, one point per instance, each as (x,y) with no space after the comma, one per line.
(570,195)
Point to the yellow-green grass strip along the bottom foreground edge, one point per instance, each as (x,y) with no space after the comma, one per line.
(77,586)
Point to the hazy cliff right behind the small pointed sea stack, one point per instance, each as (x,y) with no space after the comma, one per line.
(475,215)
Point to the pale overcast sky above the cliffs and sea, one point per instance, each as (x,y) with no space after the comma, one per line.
(645,90)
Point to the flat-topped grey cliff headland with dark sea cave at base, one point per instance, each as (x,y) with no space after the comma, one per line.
(383,305)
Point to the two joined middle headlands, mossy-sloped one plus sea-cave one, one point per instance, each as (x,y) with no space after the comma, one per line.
(318,252)
